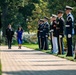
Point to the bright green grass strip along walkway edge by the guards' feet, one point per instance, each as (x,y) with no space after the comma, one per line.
(35,46)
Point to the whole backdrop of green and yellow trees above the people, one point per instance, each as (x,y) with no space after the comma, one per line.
(27,12)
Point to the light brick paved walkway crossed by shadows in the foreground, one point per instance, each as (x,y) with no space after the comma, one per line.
(30,62)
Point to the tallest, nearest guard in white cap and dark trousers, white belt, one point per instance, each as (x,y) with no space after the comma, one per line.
(69,30)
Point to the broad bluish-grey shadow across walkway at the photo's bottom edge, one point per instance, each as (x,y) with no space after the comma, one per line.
(41,72)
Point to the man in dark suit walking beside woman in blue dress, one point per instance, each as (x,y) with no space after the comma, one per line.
(9,35)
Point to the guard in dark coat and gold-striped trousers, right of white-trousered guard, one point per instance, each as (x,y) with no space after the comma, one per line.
(60,31)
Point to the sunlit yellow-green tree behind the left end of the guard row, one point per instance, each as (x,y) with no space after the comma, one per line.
(39,12)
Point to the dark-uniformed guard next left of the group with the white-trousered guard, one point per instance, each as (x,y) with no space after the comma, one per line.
(46,33)
